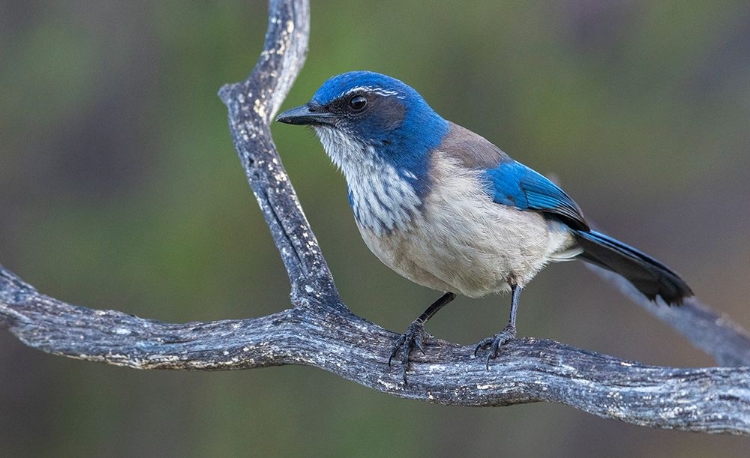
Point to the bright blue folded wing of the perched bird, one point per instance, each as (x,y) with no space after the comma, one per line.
(518,186)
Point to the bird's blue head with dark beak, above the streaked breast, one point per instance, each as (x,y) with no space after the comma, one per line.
(364,117)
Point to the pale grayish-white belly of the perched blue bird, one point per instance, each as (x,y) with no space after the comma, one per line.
(473,249)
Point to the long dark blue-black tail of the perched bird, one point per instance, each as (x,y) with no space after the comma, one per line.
(651,277)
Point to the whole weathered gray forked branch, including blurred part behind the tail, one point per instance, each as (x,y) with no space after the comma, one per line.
(320,331)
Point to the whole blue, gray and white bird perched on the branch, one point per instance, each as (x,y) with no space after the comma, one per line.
(449,210)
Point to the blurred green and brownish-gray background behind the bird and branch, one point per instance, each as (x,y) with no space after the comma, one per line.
(120,188)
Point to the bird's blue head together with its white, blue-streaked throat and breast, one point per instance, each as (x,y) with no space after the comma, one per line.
(381,133)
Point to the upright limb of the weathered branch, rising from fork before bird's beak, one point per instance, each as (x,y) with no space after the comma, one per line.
(252,105)
